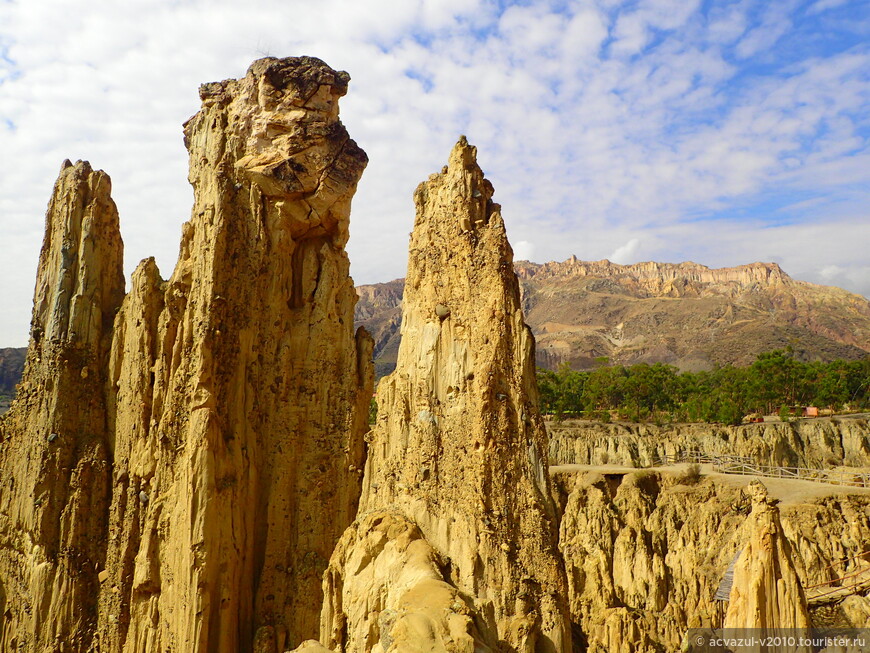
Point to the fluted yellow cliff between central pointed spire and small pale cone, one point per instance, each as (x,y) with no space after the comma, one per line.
(637,576)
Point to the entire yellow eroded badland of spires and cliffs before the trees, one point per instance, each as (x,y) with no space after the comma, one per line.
(188,466)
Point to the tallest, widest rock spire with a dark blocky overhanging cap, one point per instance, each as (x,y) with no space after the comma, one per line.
(237,456)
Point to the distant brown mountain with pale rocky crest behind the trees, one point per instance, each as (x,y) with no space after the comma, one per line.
(685,314)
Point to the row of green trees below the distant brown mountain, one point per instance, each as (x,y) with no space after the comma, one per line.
(775,382)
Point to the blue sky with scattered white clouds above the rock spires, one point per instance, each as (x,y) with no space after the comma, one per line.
(719,132)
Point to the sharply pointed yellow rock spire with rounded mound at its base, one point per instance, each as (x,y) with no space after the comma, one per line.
(459,450)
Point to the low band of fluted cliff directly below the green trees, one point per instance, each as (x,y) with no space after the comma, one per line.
(816,443)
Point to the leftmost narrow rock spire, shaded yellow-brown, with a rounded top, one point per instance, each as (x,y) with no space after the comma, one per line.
(55,460)
